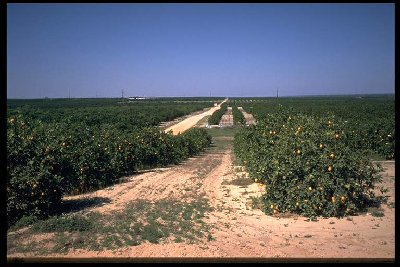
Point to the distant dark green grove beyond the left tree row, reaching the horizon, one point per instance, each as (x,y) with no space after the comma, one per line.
(95,112)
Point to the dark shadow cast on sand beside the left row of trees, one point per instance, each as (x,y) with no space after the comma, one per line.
(74,205)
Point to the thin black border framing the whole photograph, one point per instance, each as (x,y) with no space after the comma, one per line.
(15,261)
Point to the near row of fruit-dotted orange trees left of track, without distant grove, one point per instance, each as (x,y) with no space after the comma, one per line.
(46,160)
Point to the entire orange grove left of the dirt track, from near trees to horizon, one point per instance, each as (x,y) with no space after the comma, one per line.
(58,147)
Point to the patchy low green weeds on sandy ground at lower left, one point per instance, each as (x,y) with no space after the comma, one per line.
(138,222)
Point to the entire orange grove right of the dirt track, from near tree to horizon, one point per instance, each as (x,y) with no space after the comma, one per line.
(314,159)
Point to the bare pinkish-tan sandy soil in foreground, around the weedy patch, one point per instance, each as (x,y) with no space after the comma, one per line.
(239,230)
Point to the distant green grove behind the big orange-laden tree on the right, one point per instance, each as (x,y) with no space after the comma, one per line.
(370,120)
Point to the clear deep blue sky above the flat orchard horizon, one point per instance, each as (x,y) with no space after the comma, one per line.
(89,50)
